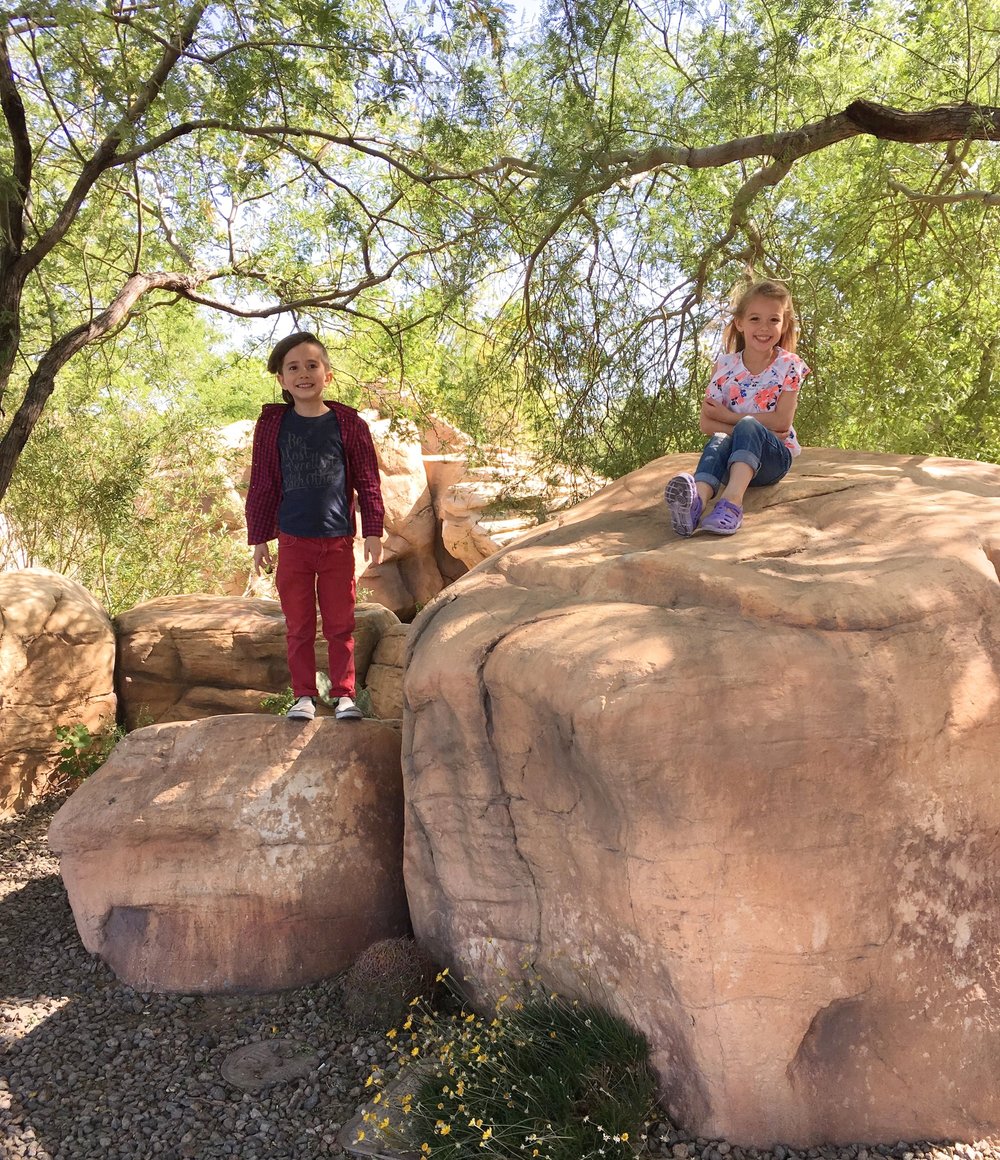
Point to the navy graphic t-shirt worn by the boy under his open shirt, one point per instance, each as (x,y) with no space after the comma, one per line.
(314,488)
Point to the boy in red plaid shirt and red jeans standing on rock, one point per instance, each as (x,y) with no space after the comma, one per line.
(310,459)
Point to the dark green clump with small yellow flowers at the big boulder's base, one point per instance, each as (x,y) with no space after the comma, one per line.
(548,1079)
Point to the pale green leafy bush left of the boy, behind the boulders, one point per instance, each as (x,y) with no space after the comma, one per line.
(122,487)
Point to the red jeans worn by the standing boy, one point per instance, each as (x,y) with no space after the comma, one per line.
(310,569)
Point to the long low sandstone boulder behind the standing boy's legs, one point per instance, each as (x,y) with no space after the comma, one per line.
(187,657)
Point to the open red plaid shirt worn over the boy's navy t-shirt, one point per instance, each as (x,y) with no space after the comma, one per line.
(360,473)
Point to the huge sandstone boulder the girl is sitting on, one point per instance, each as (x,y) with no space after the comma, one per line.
(745,787)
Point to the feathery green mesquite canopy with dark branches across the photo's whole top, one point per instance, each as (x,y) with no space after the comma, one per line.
(622,166)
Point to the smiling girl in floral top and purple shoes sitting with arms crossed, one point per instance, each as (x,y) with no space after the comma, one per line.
(748,411)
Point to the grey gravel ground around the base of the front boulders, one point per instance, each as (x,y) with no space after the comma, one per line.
(92,1069)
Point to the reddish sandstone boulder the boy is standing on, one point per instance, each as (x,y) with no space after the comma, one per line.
(243,853)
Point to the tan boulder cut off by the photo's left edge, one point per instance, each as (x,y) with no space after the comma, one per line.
(57,663)
